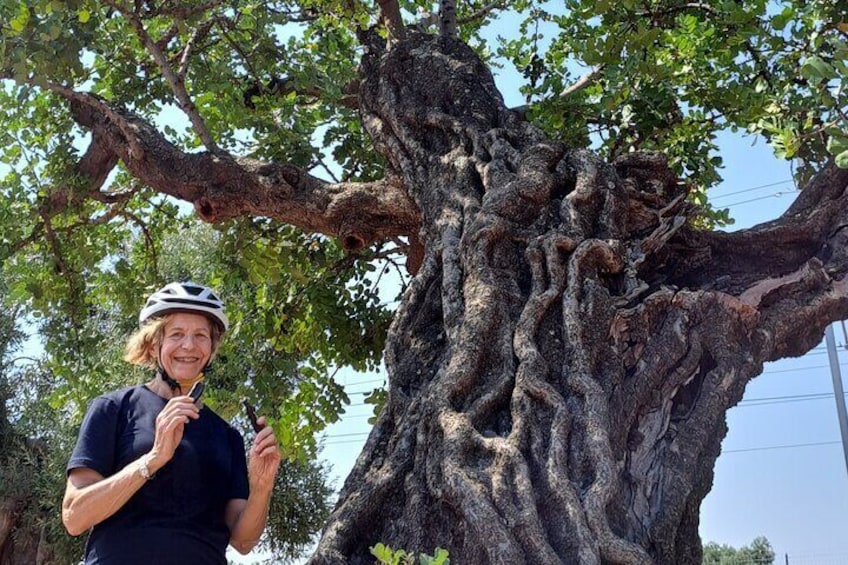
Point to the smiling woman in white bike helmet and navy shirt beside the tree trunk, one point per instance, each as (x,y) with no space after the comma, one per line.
(156,477)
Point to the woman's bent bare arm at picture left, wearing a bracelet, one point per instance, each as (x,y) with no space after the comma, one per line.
(90,498)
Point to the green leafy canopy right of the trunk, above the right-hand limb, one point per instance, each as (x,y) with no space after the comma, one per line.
(672,76)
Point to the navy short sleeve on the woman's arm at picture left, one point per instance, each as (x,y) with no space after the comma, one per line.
(96,445)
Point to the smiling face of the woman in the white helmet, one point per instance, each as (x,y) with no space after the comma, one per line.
(186,345)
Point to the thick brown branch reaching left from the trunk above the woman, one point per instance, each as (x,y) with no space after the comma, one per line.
(222,186)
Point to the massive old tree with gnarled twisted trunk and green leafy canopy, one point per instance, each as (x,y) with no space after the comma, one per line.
(574,331)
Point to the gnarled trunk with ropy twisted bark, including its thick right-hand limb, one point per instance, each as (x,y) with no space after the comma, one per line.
(561,366)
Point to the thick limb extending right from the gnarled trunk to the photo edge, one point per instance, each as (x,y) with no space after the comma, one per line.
(786,279)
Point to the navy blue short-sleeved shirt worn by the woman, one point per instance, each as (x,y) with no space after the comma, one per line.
(178,516)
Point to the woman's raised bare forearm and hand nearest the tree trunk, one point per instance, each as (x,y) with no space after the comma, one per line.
(247,518)
